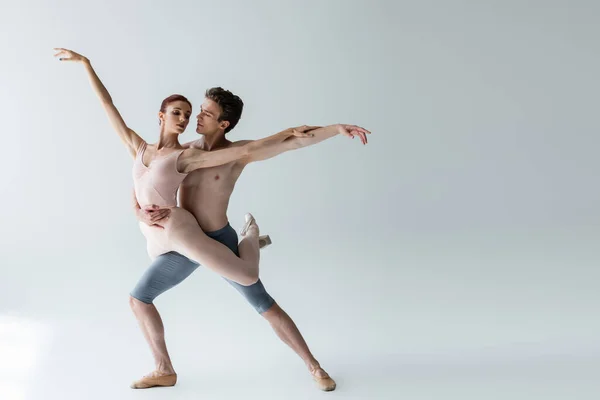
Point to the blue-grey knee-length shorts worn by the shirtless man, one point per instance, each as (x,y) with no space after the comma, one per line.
(169,269)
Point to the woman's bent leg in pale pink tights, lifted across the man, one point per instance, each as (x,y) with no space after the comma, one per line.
(184,235)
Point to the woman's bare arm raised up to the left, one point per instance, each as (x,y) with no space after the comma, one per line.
(131,139)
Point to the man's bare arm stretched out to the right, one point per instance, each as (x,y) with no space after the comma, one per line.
(319,134)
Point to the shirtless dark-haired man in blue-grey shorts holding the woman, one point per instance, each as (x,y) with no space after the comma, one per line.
(206,193)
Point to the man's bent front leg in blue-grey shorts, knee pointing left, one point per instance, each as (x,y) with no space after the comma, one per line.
(165,272)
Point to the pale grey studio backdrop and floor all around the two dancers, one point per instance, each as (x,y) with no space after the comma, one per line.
(455,256)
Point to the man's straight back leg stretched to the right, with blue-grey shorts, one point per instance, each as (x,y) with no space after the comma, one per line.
(280,321)
